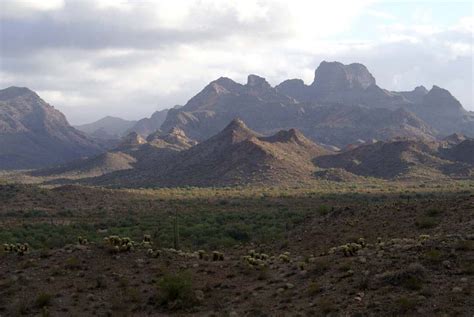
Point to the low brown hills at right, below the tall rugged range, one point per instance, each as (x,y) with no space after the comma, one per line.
(405,158)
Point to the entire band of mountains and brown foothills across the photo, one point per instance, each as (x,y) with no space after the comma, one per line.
(341,126)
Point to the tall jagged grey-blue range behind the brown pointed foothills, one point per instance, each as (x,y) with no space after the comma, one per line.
(342,106)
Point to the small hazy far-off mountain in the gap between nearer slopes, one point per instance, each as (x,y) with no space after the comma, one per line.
(107,128)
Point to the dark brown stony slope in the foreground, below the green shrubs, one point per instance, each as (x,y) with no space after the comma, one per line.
(425,275)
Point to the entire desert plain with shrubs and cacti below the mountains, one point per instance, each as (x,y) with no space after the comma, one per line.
(336,248)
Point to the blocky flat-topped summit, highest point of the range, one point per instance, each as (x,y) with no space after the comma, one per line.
(332,76)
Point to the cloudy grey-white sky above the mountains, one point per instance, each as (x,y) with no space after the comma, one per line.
(91,58)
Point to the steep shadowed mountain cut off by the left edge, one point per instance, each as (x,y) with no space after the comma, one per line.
(33,134)
